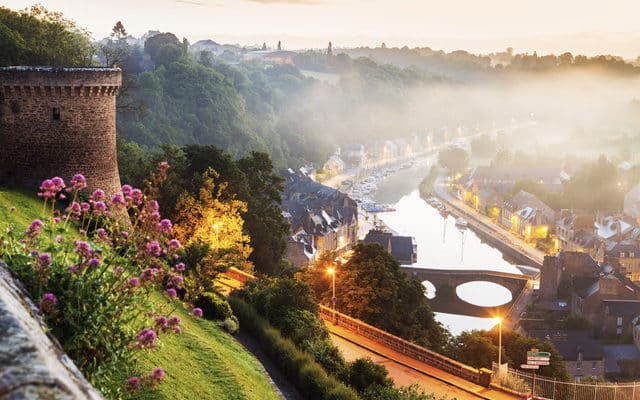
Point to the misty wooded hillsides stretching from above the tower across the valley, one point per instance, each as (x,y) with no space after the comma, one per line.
(179,93)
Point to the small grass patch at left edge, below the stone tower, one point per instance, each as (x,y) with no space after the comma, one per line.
(27,207)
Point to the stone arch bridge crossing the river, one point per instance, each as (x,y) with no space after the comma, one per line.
(447,280)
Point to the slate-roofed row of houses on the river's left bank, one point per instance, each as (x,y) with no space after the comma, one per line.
(322,218)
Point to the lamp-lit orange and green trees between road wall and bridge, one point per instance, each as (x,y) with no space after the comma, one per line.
(371,287)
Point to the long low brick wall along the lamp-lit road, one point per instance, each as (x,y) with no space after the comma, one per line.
(407,348)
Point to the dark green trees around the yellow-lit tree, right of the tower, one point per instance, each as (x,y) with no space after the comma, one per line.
(251,180)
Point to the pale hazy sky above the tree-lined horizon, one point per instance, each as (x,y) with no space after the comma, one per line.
(590,26)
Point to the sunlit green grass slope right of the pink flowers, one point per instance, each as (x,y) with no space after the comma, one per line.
(204,362)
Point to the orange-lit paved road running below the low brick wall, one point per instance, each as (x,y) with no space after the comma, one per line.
(406,371)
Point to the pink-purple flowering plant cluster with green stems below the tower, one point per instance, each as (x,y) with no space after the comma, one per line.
(92,267)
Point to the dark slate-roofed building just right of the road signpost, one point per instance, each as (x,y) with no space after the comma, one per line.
(583,355)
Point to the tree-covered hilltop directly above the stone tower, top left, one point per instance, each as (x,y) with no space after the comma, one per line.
(37,36)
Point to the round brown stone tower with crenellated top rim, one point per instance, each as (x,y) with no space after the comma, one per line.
(59,122)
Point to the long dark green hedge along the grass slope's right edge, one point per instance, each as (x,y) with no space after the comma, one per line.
(298,366)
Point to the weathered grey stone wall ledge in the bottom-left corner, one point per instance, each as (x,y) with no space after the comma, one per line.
(32,364)
